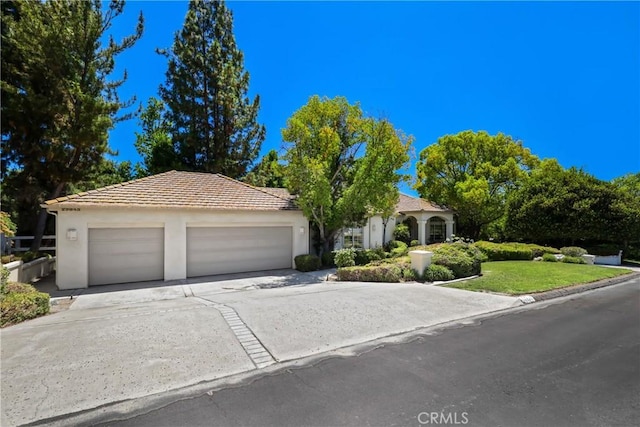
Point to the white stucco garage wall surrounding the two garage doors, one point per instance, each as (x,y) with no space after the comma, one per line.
(72,256)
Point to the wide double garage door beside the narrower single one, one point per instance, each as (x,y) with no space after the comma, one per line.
(221,250)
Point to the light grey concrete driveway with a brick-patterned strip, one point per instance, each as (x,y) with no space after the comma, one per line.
(123,342)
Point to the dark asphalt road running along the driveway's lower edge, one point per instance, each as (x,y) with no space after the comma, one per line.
(574,363)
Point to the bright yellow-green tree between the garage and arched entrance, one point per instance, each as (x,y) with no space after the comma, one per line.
(342,166)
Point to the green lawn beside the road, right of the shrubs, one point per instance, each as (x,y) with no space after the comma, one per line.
(523,277)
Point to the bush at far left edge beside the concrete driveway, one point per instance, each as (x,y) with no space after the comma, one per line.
(22,303)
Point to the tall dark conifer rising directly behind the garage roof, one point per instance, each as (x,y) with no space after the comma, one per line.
(214,123)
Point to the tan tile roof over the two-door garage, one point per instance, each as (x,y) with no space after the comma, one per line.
(182,190)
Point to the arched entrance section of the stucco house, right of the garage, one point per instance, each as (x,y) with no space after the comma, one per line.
(428,223)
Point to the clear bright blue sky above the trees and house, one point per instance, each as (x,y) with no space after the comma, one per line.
(562,77)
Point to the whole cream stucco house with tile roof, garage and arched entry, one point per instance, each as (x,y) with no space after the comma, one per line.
(178,225)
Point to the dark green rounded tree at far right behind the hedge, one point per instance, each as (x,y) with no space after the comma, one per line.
(569,205)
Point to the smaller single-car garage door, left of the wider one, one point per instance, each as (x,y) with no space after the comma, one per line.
(121,255)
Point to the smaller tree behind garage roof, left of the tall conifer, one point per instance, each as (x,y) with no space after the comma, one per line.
(154,143)
